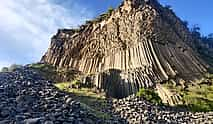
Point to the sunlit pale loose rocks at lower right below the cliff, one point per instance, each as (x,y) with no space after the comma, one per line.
(138,111)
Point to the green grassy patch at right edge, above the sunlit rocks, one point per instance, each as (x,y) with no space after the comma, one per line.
(196,98)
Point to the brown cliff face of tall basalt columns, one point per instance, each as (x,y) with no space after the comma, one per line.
(140,44)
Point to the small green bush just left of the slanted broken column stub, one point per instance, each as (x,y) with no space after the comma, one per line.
(150,95)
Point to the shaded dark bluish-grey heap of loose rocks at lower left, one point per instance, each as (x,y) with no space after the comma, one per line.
(26,98)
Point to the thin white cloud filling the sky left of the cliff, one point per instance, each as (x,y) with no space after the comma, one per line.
(27,25)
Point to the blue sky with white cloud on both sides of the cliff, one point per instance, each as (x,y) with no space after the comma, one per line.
(26,26)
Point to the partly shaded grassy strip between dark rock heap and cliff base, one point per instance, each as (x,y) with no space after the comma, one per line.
(89,99)
